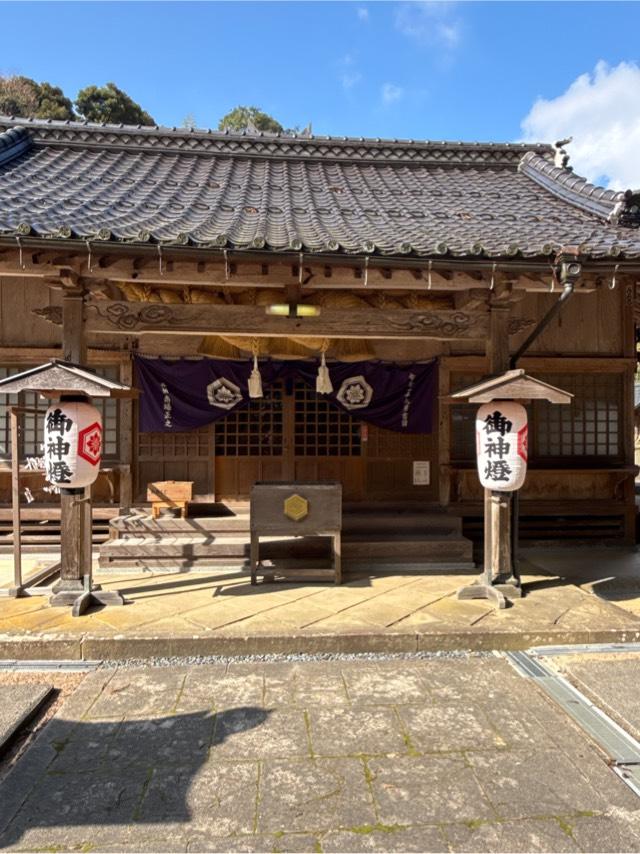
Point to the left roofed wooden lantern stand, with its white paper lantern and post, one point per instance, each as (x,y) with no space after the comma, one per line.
(72,452)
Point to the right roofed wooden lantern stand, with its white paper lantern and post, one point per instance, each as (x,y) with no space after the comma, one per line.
(502,455)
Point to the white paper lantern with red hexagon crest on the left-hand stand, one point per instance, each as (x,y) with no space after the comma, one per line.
(72,444)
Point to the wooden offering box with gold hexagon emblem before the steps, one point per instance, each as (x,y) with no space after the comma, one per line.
(296,509)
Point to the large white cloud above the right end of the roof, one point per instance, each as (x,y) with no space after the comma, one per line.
(602,112)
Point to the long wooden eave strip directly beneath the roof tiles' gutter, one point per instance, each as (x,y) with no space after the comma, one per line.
(166,266)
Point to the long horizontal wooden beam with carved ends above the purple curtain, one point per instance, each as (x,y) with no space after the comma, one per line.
(139,318)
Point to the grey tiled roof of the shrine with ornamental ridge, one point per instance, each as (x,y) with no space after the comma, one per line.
(315,194)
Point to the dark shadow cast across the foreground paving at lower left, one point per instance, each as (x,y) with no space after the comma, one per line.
(115,772)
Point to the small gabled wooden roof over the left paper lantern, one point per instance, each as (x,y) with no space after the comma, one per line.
(56,377)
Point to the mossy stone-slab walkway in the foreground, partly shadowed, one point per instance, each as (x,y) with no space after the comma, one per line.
(389,755)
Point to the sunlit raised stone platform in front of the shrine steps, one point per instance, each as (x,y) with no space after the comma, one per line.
(221,613)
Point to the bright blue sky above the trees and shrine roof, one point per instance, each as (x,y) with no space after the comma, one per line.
(468,70)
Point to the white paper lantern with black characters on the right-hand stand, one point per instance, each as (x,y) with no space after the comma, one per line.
(501,445)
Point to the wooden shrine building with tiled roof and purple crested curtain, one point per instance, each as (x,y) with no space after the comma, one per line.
(303,308)
